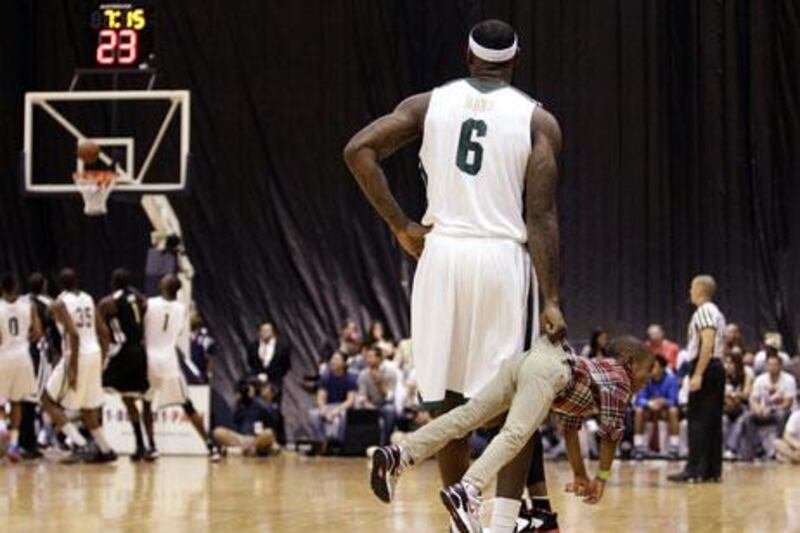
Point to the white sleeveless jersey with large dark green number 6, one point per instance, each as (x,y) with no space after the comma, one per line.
(475,150)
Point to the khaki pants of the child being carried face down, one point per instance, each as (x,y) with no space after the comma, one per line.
(525,385)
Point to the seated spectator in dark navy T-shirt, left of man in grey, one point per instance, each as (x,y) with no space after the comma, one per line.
(336,394)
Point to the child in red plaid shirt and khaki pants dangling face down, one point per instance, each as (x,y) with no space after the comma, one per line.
(545,378)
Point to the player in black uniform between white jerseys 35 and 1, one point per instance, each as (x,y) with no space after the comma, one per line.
(121,326)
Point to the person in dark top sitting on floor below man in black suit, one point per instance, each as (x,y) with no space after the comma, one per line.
(257,421)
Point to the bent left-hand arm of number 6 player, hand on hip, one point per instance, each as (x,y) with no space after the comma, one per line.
(370,146)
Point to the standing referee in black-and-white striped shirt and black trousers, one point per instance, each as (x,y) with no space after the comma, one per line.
(706,386)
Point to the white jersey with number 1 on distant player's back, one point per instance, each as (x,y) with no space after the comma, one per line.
(163,324)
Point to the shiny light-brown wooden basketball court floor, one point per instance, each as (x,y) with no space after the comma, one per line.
(292,493)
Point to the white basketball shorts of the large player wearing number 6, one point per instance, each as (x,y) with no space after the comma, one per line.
(469,312)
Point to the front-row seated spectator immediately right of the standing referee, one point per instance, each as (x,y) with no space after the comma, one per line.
(738,387)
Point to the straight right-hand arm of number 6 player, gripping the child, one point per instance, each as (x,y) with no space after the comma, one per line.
(542,217)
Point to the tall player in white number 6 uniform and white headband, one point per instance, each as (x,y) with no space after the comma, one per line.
(489,155)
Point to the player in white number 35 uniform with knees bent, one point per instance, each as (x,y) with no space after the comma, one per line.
(76,382)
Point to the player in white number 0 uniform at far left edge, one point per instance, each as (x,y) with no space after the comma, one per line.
(19,324)
